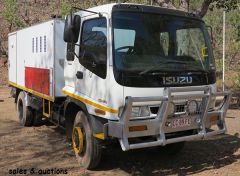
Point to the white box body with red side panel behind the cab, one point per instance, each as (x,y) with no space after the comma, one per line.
(36,59)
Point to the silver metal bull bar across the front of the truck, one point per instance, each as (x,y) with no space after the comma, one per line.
(156,127)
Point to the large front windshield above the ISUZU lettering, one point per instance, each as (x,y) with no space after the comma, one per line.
(147,43)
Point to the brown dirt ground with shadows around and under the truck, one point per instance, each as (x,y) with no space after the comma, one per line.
(45,148)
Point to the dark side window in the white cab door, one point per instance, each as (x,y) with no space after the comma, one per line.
(93,46)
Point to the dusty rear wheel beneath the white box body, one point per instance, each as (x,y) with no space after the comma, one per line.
(24,113)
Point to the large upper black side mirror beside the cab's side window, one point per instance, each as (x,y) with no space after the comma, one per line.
(72,28)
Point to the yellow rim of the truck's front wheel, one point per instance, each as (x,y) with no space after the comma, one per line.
(78,140)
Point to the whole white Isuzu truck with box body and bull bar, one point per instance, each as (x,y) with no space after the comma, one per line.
(140,74)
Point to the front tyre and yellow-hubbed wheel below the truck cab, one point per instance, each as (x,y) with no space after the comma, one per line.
(87,148)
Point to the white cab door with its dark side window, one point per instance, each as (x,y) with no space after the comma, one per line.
(93,59)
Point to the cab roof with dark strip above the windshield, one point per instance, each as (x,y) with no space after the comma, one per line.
(108,8)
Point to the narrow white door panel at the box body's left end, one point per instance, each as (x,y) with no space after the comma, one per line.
(12,57)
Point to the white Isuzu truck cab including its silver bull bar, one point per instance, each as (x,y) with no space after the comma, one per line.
(146,74)
